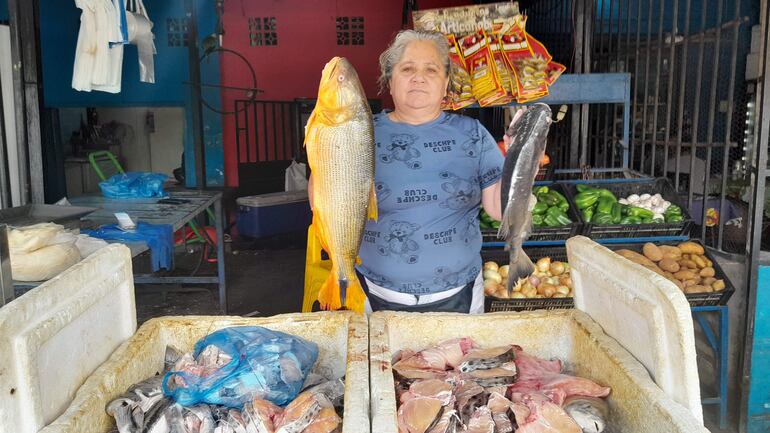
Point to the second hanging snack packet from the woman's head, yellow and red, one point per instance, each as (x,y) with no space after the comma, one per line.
(481,66)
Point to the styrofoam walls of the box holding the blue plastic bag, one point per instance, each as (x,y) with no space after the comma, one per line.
(342,339)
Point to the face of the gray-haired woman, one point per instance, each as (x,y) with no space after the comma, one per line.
(419,80)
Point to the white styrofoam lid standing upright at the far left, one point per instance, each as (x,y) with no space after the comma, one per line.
(54,336)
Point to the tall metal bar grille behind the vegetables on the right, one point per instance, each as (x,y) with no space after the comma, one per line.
(687,93)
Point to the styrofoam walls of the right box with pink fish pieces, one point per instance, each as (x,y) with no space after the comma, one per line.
(637,404)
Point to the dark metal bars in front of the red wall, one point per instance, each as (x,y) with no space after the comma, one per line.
(265,131)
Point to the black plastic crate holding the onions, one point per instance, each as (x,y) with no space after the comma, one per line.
(493,304)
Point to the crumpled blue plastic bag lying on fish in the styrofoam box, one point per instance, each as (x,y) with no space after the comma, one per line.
(265,364)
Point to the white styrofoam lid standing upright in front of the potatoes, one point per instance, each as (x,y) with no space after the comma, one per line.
(646,313)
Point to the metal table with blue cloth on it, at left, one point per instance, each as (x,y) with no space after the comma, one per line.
(177,215)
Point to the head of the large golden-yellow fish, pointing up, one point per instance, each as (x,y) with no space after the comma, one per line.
(340,94)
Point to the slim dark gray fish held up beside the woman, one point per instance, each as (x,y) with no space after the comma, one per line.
(522,162)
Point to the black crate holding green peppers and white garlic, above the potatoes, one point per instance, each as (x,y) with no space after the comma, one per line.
(660,186)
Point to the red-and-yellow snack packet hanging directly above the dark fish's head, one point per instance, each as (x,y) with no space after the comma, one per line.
(528,68)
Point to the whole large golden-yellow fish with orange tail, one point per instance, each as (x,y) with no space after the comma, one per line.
(339,137)
